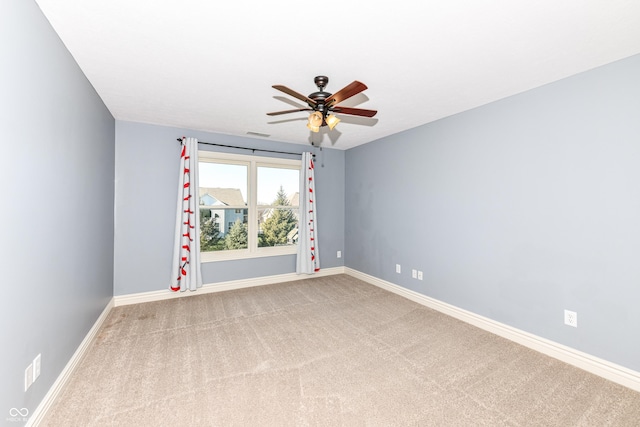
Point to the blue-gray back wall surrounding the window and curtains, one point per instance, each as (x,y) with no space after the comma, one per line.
(147,163)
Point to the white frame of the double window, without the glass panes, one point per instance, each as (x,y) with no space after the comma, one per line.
(252,163)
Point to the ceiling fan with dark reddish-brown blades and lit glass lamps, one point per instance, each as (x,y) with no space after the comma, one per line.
(324,103)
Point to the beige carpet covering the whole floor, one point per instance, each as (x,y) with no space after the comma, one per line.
(329,351)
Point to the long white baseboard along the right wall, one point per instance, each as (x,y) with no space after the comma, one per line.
(611,371)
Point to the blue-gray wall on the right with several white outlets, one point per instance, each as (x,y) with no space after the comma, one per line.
(516,210)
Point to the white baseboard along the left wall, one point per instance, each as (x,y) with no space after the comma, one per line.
(38,415)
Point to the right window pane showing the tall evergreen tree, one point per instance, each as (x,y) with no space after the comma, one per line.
(277,206)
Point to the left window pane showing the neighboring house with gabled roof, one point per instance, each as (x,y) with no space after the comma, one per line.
(223,206)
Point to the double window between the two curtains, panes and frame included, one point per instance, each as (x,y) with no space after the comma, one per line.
(248,206)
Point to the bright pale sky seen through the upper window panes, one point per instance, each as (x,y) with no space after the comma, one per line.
(217,175)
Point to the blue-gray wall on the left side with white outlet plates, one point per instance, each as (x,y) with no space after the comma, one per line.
(56,222)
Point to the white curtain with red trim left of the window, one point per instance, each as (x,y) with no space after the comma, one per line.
(186,272)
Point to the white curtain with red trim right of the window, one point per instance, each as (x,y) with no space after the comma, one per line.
(307,261)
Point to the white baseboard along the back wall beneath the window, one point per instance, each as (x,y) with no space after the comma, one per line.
(164,294)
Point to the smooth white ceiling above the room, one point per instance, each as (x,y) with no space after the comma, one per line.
(210,65)
